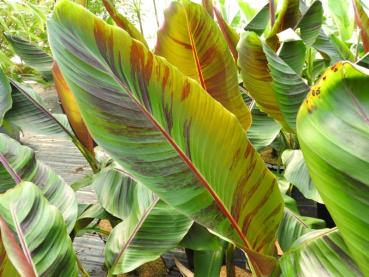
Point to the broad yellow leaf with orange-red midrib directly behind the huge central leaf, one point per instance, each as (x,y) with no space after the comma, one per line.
(191,41)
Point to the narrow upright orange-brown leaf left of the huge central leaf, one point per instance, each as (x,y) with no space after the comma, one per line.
(71,109)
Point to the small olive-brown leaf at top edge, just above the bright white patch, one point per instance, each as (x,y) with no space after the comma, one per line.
(288,16)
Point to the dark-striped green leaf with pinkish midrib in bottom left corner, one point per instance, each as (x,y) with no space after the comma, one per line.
(39,230)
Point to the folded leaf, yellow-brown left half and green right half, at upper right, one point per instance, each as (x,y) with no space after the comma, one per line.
(277,89)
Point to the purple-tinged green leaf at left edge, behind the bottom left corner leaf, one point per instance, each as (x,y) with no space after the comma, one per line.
(21,159)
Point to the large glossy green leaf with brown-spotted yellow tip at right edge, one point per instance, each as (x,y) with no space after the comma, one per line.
(333,131)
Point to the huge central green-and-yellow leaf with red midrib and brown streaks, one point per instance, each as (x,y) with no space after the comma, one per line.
(167,132)
